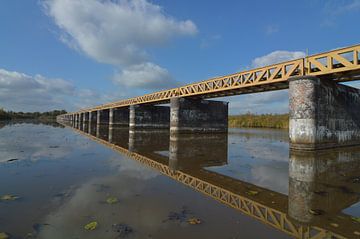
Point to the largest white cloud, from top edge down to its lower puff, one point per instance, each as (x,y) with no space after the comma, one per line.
(119,33)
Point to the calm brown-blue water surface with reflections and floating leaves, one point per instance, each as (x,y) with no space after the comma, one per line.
(61,182)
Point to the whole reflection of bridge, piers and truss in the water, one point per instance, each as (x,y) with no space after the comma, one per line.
(321,184)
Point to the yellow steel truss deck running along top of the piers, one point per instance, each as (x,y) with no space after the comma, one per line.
(340,64)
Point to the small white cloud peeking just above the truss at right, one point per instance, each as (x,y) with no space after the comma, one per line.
(277,57)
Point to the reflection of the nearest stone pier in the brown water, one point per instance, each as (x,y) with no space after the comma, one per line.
(323,182)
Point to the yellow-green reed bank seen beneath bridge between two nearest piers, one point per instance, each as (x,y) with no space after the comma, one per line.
(279,121)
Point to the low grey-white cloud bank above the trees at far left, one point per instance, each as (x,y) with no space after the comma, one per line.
(22,92)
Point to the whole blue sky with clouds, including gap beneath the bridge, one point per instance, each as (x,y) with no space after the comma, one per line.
(70,54)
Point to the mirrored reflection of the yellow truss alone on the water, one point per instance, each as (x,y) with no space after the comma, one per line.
(265,213)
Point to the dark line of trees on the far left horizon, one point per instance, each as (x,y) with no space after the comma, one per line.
(10,115)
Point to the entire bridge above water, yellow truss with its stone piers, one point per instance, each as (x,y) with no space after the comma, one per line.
(323,112)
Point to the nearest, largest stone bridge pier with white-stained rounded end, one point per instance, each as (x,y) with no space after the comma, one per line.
(323,114)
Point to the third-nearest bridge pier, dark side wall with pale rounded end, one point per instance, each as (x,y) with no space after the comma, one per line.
(149,117)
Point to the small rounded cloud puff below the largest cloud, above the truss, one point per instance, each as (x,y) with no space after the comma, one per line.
(147,75)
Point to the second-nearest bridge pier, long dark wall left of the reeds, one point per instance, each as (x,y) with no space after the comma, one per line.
(202,116)
